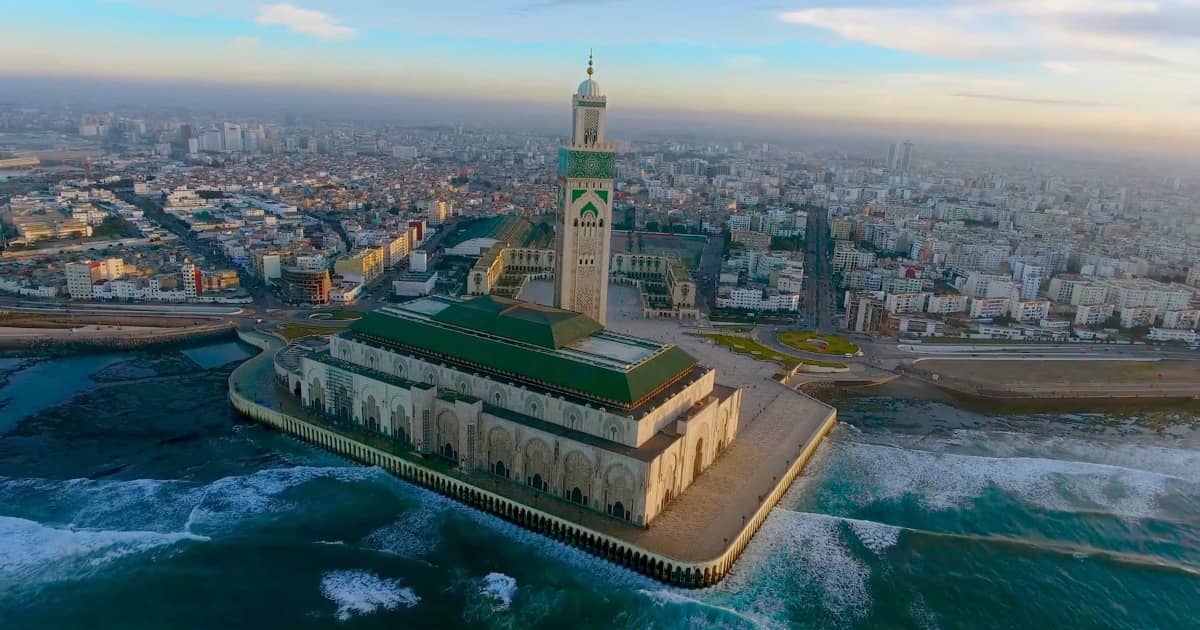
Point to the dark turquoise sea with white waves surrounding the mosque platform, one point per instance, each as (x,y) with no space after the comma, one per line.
(149,505)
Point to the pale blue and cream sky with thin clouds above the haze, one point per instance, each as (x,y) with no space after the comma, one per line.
(1114,73)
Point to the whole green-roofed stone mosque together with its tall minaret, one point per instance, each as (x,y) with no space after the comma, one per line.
(537,395)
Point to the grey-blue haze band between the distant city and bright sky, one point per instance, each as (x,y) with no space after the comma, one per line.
(631,124)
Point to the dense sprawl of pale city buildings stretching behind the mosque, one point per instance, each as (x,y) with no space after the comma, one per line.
(214,211)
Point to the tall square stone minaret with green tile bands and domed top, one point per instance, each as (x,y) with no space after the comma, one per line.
(586,169)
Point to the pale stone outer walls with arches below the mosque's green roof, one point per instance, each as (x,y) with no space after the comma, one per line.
(627,467)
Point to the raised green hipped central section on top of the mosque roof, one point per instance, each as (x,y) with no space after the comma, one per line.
(524,322)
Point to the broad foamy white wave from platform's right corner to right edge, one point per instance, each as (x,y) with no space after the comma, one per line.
(946,481)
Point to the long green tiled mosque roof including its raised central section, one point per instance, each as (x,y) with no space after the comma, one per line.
(535,361)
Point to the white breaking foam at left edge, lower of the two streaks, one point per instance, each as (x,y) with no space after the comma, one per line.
(33,553)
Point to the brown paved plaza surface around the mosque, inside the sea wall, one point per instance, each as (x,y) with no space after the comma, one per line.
(699,526)
